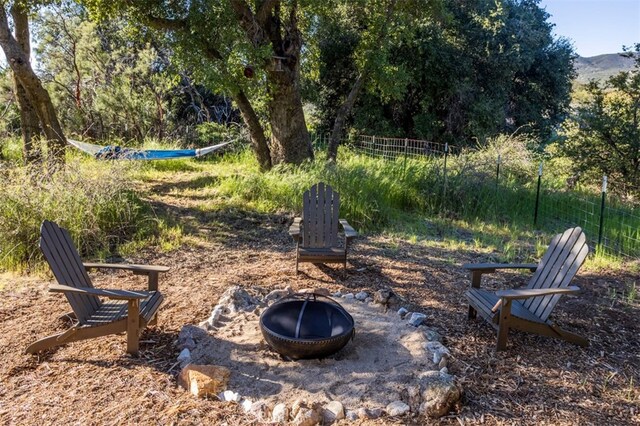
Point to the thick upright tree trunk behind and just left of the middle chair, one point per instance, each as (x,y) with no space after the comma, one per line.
(290,141)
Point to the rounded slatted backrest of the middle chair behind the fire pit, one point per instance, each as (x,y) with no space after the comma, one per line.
(320,210)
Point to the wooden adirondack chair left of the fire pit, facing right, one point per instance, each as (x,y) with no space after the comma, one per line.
(129,311)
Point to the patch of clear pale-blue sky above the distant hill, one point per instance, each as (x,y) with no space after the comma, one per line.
(596,26)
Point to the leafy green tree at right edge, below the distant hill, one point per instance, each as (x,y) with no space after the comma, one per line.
(603,136)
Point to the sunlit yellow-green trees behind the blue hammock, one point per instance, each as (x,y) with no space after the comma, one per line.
(109,79)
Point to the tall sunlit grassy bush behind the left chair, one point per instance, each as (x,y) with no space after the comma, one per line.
(94,201)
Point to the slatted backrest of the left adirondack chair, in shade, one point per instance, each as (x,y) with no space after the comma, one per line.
(66,265)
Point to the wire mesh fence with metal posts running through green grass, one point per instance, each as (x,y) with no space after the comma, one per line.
(487,190)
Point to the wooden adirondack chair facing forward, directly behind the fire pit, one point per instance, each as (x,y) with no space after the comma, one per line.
(316,232)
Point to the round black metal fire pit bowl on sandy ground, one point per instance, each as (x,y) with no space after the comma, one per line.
(306,325)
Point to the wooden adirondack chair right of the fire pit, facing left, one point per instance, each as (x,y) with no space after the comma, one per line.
(528,309)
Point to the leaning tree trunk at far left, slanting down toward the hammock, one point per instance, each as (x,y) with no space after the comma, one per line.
(34,91)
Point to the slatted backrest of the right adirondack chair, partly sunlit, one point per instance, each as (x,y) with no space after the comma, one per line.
(559,265)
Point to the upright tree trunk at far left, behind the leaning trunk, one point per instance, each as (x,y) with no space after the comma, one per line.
(29,122)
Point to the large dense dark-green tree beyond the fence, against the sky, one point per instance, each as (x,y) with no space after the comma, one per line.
(483,68)
